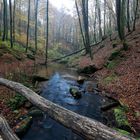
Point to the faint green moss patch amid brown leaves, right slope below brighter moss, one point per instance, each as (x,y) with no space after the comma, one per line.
(110,79)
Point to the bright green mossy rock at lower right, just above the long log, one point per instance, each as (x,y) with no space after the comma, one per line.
(121,119)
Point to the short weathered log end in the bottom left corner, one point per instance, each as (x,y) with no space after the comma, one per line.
(6,130)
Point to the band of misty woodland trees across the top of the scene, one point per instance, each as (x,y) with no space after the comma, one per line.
(28,22)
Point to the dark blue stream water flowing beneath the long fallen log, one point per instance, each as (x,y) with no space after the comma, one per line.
(57,91)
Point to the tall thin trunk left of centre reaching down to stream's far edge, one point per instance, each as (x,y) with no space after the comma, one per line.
(47,31)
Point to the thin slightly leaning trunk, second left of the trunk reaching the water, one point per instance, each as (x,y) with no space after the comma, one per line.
(28,26)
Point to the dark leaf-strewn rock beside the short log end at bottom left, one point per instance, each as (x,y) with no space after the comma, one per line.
(23,126)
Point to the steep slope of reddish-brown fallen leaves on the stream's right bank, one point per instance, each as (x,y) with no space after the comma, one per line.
(119,73)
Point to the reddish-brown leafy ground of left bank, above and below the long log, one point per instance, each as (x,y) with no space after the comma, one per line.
(14,65)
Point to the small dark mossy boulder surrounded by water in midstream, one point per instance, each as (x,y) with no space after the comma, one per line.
(75,93)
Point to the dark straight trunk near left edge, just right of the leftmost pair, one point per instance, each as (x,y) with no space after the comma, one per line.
(11,25)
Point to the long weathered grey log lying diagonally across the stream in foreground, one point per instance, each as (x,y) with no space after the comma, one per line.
(90,129)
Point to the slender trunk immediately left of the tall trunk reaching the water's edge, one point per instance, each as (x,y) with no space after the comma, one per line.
(36,21)
